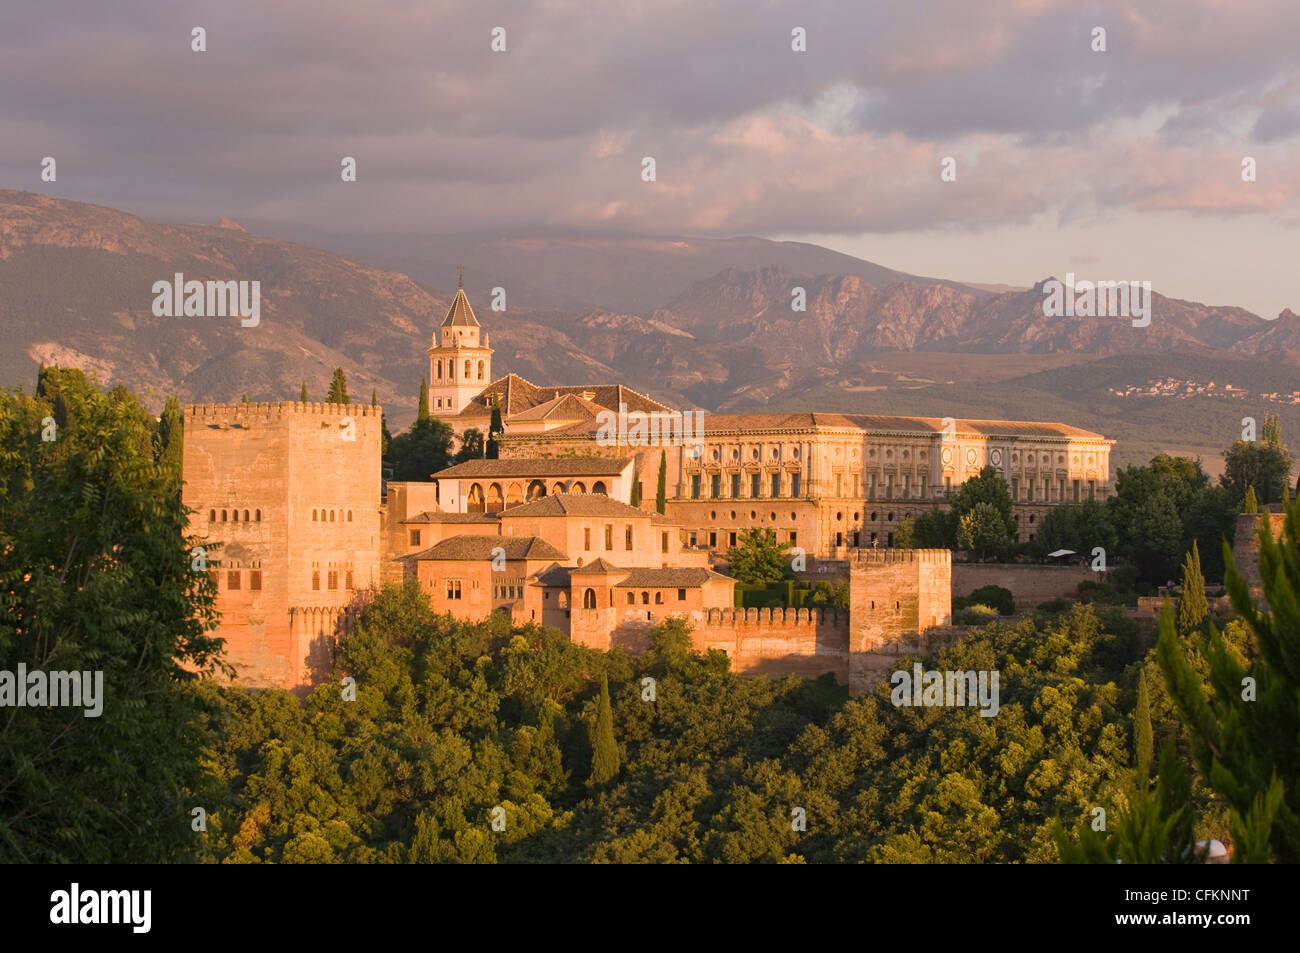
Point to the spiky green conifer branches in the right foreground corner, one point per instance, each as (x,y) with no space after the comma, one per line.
(1237,720)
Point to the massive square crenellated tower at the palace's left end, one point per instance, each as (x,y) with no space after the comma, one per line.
(313,475)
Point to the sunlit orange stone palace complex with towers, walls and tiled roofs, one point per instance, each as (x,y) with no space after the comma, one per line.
(564,530)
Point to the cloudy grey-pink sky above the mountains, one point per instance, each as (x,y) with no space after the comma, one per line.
(1117,164)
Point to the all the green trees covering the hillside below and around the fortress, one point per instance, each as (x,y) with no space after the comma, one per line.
(439,740)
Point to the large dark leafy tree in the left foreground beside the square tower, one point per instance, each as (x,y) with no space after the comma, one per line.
(99,579)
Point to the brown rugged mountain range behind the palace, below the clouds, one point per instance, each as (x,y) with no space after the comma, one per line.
(699,323)
